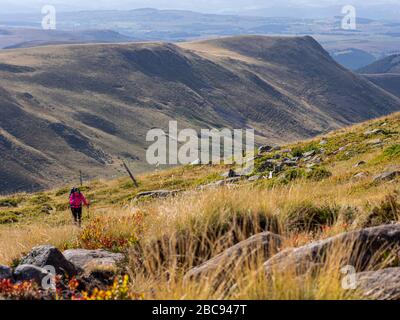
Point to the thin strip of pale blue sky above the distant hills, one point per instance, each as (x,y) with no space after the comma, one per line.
(210,6)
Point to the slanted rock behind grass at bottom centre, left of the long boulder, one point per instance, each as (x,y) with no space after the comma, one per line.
(264,244)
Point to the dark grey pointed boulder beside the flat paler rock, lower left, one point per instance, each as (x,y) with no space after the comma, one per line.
(50,256)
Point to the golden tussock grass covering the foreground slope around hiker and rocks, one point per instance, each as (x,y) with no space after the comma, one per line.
(164,238)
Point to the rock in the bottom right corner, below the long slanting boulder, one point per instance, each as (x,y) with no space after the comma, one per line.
(380,285)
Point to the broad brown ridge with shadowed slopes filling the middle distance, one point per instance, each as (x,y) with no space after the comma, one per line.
(71,107)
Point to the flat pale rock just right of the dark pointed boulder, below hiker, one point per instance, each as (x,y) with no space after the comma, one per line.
(93,259)
